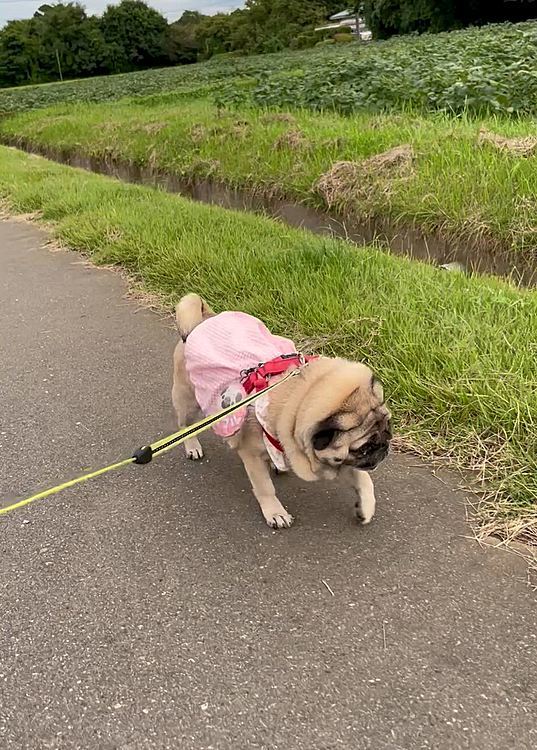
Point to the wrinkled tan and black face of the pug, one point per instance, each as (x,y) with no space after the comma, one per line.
(359,434)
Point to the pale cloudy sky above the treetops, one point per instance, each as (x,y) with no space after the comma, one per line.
(172,9)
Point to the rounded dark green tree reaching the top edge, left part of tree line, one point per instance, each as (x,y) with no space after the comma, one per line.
(136,35)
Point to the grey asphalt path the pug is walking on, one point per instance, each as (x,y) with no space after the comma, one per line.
(152,608)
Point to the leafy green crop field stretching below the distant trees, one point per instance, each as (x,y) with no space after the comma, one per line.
(477,70)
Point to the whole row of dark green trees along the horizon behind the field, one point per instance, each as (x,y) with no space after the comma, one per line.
(63,41)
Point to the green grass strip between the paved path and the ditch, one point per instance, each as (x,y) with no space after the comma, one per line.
(457,354)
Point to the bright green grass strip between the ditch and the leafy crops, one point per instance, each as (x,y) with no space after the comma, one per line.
(463,191)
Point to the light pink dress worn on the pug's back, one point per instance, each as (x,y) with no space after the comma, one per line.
(217,351)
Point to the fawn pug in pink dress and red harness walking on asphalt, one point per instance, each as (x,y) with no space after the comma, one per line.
(329,421)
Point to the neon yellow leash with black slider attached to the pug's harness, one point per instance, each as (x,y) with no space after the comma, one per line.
(145,454)
